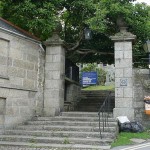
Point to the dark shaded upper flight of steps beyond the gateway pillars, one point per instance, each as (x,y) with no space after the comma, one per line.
(92,100)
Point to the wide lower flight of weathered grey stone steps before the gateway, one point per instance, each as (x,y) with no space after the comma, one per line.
(70,130)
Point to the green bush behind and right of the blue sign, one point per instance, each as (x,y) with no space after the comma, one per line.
(100,72)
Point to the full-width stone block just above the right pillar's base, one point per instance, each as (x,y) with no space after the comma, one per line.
(123,103)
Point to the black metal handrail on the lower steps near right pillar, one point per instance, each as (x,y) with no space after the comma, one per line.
(103,113)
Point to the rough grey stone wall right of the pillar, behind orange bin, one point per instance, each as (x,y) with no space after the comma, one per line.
(139,90)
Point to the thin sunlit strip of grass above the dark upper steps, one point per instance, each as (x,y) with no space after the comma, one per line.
(99,87)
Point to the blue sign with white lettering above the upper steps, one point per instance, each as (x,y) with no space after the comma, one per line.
(89,78)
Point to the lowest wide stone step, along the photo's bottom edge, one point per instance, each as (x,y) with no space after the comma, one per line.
(51,146)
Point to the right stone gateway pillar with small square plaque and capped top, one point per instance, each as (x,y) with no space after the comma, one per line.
(123,74)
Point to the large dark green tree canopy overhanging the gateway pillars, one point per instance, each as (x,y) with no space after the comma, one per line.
(40,17)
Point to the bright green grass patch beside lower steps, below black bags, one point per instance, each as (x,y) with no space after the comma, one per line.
(124,138)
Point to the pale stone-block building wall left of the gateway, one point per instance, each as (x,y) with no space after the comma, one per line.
(21,78)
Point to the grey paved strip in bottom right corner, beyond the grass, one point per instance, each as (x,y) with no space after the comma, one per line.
(144,146)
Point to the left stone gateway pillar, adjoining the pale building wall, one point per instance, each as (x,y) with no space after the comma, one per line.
(54,76)
